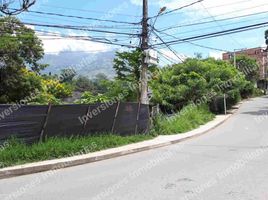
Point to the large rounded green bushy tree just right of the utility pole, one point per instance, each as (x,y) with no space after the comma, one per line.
(178,85)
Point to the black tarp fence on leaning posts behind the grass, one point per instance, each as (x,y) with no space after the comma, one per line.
(33,123)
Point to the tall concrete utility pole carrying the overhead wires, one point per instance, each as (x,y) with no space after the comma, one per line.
(144,46)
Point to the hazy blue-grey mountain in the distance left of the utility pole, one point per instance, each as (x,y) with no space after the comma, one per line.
(83,63)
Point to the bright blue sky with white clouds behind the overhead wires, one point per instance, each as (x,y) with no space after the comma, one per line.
(208,11)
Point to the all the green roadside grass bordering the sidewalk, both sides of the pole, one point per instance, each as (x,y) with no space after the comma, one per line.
(16,152)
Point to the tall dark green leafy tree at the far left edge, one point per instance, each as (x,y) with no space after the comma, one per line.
(20,49)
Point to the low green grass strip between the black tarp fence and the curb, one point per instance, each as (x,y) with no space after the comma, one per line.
(17,153)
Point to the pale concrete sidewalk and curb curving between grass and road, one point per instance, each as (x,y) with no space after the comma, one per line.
(158,142)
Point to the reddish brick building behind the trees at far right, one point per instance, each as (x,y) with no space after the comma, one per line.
(258,53)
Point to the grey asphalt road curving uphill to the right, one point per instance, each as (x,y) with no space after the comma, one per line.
(228,163)
